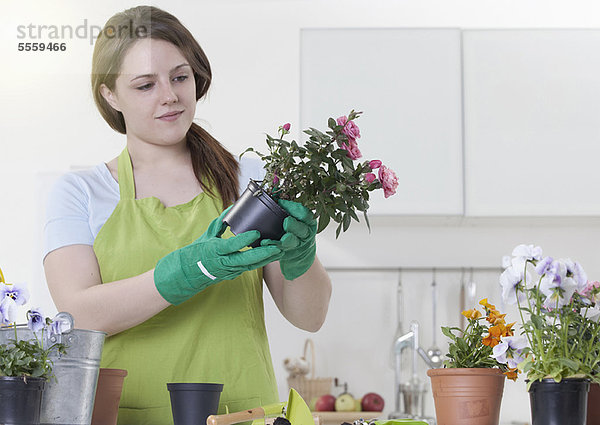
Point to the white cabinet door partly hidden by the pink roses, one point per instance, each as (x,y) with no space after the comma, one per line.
(408,84)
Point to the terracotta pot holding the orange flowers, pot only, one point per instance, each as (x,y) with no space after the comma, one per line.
(467,396)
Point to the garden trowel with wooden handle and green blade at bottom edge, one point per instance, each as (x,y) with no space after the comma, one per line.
(295,410)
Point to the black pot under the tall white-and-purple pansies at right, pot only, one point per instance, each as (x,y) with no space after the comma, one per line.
(559,403)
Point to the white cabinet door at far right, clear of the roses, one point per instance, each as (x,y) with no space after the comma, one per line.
(532,122)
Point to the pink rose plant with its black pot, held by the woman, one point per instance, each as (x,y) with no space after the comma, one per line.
(322,175)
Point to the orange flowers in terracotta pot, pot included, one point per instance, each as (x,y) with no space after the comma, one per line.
(469,387)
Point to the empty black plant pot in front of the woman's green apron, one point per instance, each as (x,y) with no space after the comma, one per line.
(192,403)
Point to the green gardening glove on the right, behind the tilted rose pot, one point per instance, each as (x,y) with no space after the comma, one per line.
(298,243)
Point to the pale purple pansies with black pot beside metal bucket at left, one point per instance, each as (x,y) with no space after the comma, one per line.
(25,364)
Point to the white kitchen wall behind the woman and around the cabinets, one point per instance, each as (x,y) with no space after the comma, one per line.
(49,123)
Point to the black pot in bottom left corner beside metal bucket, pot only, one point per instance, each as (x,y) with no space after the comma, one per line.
(20,400)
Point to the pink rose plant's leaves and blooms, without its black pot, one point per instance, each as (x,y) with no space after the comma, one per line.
(323,175)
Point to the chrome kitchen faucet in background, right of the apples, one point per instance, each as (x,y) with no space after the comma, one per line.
(412,392)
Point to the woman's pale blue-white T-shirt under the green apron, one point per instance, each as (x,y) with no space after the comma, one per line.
(81,201)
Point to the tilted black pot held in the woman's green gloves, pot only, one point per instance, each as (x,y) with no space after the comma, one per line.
(256,210)
